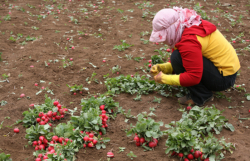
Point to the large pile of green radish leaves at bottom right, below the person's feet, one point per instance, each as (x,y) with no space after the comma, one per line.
(189,133)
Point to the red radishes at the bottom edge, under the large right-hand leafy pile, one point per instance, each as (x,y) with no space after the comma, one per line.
(192,156)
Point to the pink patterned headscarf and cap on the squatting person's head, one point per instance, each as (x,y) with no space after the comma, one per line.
(169,24)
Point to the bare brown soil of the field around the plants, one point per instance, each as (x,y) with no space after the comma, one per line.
(17,60)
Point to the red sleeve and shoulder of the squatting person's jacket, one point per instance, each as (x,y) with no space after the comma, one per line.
(191,52)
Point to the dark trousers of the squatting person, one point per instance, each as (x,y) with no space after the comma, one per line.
(212,79)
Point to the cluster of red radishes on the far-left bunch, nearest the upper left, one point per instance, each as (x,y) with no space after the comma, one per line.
(46,117)
